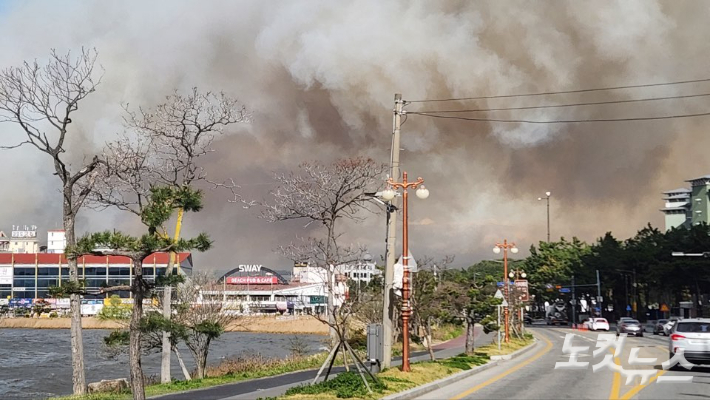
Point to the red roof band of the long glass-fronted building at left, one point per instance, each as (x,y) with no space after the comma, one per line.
(55,258)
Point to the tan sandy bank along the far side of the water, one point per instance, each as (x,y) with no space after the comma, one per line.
(267,324)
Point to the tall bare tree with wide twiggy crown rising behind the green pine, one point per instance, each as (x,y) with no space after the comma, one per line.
(163,147)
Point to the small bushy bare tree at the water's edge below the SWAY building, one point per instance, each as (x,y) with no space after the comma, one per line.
(204,316)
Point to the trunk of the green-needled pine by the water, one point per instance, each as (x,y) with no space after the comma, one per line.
(134,349)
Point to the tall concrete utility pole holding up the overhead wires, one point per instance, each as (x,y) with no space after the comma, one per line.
(389,303)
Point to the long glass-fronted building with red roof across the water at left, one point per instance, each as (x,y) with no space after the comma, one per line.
(29,276)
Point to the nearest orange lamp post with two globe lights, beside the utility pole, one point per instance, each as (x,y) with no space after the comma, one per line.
(389,194)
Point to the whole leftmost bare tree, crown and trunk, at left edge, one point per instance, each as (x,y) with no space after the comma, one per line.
(41,100)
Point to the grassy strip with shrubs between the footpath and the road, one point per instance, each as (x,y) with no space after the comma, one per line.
(349,385)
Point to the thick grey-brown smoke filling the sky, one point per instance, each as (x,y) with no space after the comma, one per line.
(320,78)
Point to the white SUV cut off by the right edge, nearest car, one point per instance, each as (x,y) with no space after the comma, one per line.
(693,336)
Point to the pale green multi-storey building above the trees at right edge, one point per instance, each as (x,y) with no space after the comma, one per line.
(688,206)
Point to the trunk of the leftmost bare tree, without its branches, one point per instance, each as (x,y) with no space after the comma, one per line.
(77,342)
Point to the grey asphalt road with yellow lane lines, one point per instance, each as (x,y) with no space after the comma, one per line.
(533,375)
